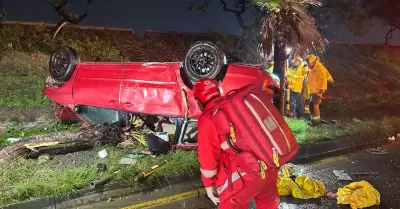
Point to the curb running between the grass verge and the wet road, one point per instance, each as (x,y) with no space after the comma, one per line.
(114,190)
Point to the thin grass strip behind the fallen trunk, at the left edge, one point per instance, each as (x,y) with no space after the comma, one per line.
(17,130)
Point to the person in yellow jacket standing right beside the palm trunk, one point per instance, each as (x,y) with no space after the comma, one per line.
(295,78)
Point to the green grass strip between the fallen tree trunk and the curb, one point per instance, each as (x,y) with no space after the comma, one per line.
(25,179)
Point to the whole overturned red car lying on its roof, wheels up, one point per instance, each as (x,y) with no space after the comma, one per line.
(98,92)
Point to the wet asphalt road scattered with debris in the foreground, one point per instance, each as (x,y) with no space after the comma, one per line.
(387,183)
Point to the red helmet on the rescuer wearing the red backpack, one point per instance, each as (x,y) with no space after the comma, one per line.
(206,89)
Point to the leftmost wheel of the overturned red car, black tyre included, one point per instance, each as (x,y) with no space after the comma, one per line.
(62,63)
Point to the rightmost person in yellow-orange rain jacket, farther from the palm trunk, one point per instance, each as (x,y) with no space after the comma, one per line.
(318,79)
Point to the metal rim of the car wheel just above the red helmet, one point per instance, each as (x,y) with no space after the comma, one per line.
(202,62)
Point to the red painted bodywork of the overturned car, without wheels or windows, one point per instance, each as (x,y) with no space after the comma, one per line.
(147,88)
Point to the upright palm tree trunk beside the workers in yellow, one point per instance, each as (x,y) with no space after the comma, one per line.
(280,71)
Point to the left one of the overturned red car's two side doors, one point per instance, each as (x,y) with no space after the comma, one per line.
(98,84)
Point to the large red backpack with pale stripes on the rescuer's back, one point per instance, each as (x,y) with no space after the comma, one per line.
(255,130)
